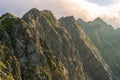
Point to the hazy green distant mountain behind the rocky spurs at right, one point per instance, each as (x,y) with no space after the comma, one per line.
(107,40)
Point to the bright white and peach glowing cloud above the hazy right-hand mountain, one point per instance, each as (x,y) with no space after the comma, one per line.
(89,11)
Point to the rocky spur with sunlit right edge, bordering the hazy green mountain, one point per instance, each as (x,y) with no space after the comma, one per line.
(89,55)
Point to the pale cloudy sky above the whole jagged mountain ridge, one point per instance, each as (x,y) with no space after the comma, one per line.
(88,10)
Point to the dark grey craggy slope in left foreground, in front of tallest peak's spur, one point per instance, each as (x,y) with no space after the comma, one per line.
(27,56)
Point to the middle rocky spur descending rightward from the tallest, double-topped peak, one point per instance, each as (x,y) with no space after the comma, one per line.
(59,40)
